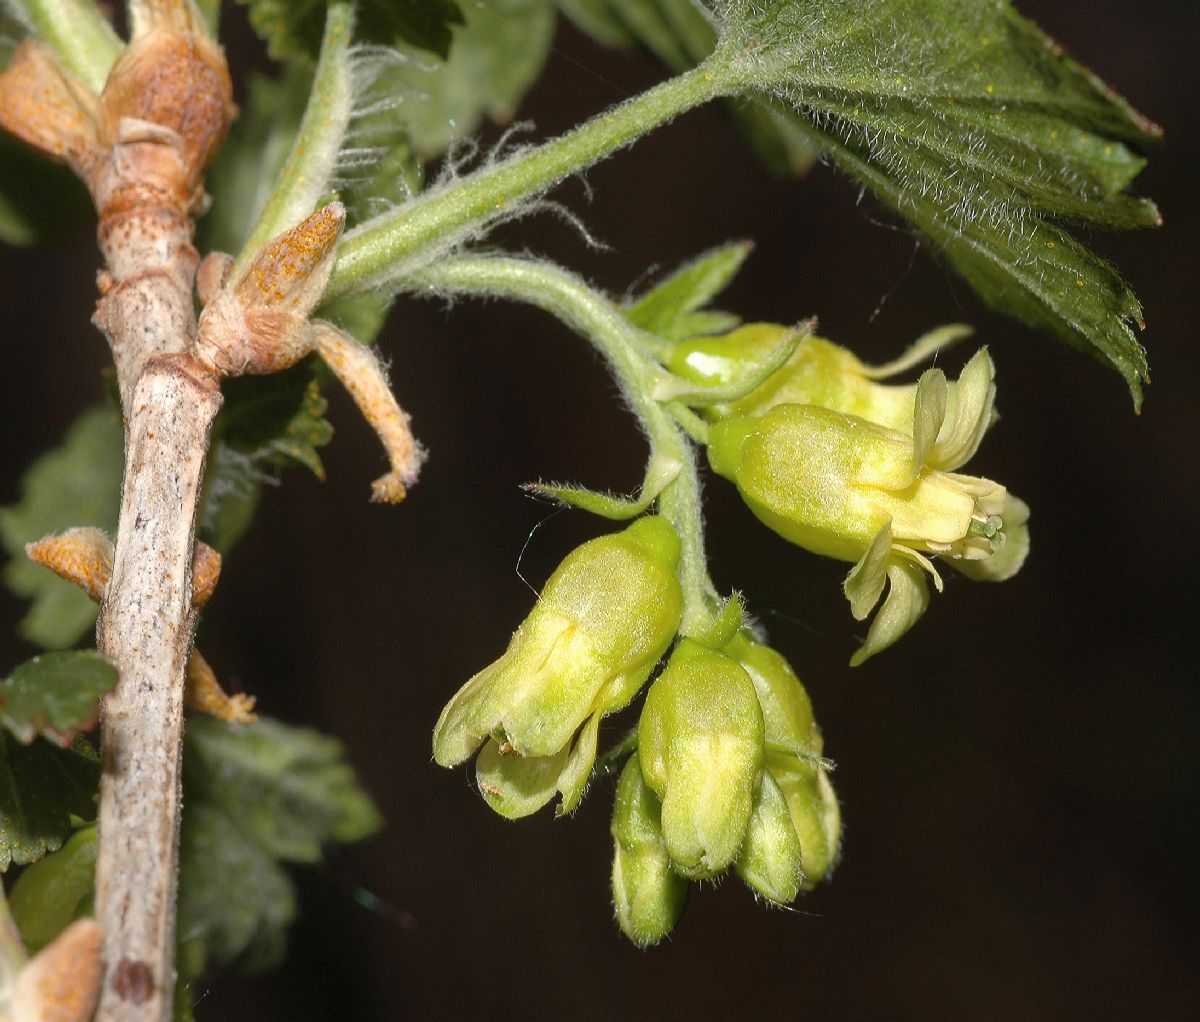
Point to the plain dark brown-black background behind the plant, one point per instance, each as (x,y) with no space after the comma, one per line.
(1018,778)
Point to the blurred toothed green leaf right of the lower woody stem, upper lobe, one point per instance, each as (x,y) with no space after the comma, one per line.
(290,789)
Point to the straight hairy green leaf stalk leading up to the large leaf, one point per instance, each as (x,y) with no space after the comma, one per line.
(393,245)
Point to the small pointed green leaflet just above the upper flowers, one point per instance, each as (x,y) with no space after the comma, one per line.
(670,310)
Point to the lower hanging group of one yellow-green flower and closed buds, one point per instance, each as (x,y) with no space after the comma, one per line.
(727,771)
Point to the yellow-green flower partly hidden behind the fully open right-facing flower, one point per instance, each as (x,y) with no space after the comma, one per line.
(819,372)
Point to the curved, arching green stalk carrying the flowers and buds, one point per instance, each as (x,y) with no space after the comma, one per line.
(599,321)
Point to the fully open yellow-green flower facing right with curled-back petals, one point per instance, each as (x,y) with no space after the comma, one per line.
(850,489)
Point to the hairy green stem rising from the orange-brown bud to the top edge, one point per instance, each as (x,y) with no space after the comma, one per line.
(309,169)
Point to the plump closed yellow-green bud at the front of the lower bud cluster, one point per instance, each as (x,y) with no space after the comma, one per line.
(700,742)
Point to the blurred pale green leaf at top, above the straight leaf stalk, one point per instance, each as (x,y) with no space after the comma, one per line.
(496,57)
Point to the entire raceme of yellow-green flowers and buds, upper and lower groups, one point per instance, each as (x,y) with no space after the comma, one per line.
(725,768)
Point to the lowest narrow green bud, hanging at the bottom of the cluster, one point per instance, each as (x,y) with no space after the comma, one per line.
(647,894)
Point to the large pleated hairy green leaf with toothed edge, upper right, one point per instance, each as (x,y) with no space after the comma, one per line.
(971,123)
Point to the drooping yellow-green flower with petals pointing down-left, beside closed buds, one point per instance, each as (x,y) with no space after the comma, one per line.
(604,620)
